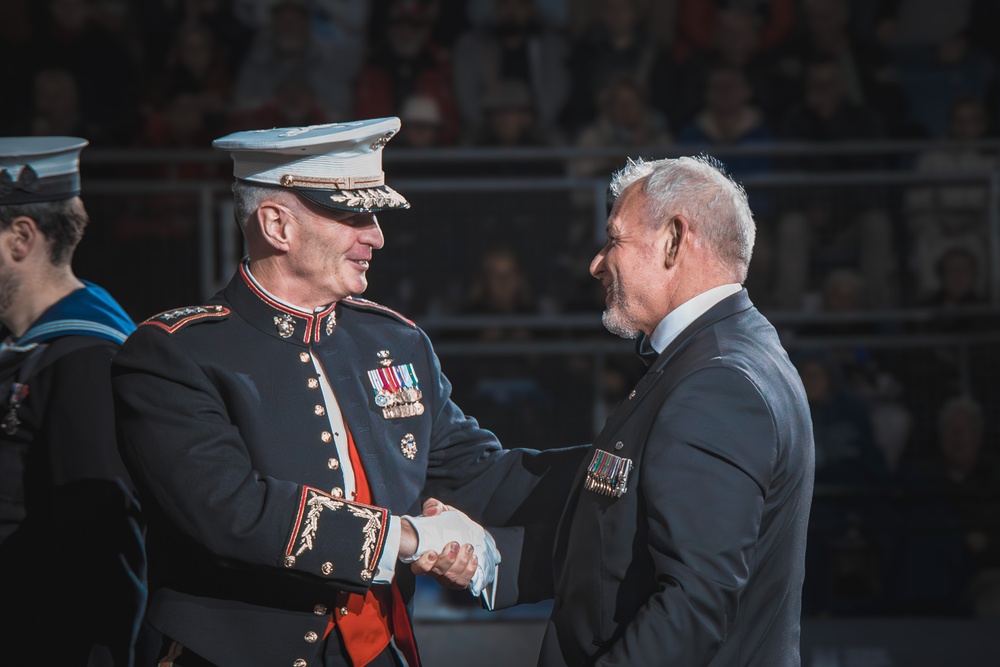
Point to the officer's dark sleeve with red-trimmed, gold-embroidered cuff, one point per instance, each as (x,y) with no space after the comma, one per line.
(184,452)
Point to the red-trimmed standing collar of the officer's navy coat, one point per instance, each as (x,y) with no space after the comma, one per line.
(275,317)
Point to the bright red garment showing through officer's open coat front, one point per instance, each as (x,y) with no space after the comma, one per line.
(374,618)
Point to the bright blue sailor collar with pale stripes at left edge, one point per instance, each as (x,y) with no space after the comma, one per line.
(88,311)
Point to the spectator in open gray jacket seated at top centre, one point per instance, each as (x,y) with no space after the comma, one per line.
(515,45)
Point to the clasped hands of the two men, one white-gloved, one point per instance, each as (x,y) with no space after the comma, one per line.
(451,547)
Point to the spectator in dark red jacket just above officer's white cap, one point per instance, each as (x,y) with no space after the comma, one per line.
(408,62)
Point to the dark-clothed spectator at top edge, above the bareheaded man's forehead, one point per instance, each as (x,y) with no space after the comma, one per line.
(617,42)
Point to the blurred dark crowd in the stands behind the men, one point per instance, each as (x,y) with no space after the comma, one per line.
(907,518)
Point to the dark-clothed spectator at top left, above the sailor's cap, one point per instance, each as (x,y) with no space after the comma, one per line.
(105,69)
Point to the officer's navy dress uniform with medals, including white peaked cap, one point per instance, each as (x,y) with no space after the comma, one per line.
(235,416)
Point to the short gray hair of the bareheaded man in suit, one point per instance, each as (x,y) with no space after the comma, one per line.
(699,187)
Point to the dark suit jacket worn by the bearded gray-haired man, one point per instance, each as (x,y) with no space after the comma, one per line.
(701,561)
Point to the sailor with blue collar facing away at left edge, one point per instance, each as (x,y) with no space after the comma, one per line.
(65,497)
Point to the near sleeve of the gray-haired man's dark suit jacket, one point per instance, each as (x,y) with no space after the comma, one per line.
(705,470)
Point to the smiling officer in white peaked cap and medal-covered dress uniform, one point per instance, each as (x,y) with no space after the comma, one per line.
(285,433)
